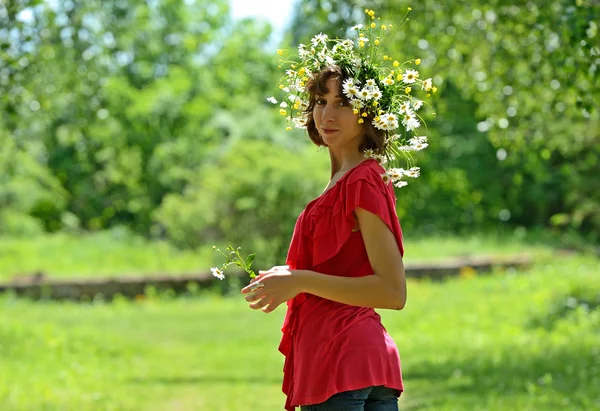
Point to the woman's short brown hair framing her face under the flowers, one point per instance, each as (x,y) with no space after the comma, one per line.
(317,86)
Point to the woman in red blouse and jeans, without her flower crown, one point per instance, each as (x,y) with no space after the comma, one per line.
(345,259)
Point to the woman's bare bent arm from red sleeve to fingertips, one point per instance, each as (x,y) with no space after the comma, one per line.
(386,288)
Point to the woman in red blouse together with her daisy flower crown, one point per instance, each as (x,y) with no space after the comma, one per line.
(345,257)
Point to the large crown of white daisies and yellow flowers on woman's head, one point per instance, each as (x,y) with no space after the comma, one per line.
(377,88)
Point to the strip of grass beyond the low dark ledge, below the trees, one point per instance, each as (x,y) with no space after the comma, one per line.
(113,253)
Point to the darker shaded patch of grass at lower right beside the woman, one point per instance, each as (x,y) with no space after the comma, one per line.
(571,373)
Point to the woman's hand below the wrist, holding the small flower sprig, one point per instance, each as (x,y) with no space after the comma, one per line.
(279,284)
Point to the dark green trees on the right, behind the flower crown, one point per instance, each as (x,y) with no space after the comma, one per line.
(518,81)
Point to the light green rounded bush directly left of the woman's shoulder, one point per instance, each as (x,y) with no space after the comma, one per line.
(254,209)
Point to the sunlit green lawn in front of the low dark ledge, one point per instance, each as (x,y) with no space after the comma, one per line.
(466,344)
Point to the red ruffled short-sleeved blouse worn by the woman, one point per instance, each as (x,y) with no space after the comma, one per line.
(332,347)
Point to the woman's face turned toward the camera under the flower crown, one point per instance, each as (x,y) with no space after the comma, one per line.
(335,120)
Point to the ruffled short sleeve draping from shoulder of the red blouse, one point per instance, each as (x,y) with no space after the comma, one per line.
(333,218)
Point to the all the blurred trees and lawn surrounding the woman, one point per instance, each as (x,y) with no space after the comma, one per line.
(134,136)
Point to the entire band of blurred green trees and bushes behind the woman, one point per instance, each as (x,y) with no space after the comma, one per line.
(119,113)
